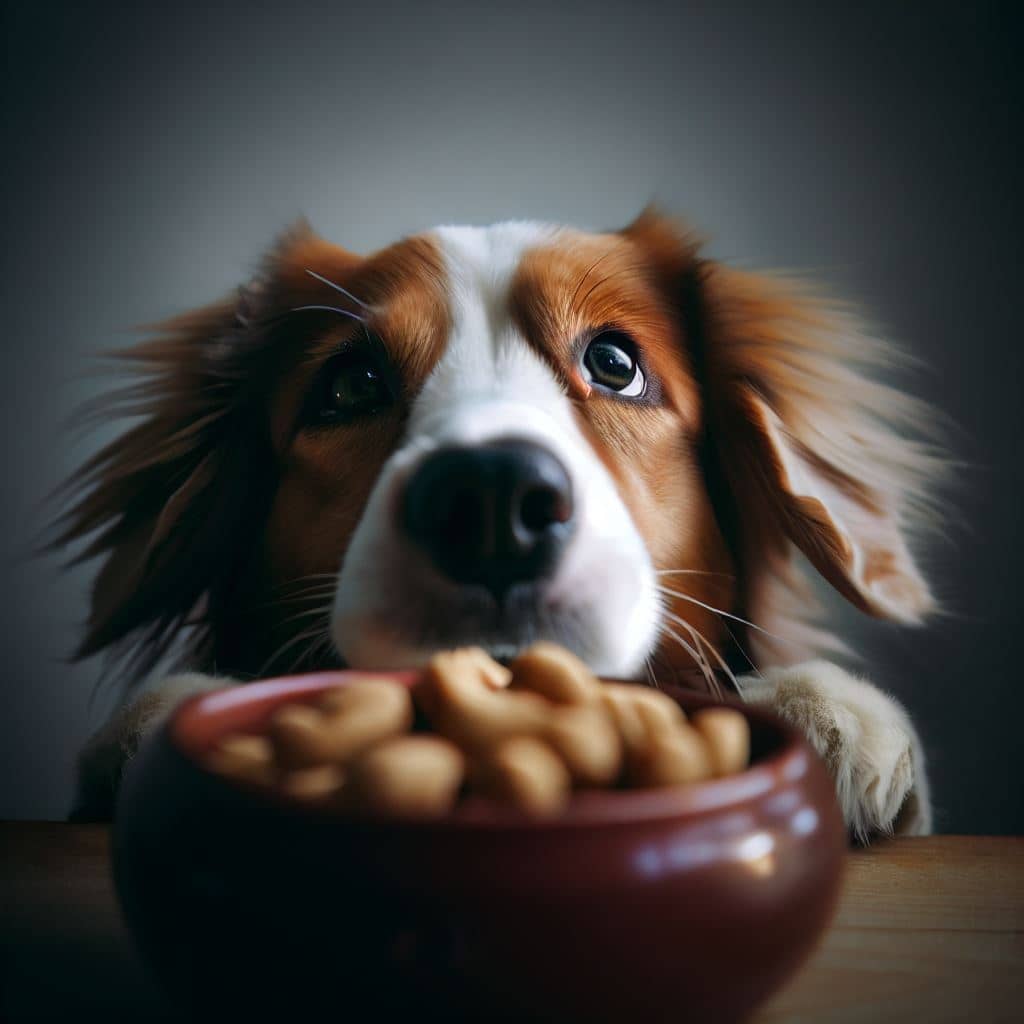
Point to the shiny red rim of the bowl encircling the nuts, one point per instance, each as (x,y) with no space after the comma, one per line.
(192,728)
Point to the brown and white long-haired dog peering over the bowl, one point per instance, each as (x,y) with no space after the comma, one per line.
(494,436)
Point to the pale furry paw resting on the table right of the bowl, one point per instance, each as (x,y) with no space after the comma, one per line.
(865,738)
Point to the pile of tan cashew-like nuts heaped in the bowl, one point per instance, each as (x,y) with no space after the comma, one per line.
(526,736)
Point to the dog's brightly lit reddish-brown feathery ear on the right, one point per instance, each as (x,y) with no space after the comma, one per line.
(815,450)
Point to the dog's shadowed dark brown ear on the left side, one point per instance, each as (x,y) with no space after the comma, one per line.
(175,502)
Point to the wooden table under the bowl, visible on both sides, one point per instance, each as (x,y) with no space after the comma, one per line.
(928,930)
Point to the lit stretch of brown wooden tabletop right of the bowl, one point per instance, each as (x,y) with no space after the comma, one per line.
(928,930)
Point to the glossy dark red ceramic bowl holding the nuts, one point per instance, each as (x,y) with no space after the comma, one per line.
(686,905)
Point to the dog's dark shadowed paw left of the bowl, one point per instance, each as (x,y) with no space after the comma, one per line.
(103,761)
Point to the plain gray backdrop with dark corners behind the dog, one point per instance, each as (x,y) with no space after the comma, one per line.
(152,154)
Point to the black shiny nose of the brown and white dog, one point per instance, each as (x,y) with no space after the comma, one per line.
(494,515)
